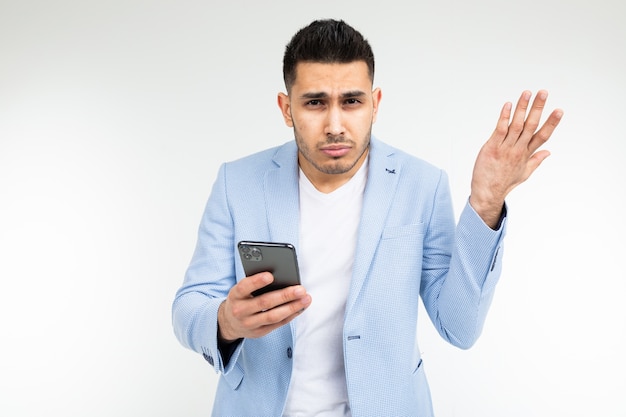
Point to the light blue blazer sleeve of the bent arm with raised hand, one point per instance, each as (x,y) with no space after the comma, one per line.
(458,283)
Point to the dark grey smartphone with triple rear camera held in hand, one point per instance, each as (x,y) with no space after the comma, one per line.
(278,258)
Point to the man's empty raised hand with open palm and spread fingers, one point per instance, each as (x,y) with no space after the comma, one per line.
(511,154)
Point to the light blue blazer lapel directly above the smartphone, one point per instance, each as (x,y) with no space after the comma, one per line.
(282,198)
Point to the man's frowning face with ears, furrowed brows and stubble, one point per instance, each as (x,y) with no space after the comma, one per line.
(331,108)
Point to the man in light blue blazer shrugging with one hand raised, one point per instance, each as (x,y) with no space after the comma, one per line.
(374,230)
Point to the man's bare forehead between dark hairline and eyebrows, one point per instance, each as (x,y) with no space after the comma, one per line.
(332,76)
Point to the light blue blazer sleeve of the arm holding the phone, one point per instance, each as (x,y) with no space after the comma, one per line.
(209,277)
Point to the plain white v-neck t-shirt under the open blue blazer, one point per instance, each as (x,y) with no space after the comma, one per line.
(328,233)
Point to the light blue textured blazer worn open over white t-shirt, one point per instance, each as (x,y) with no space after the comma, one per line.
(408,245)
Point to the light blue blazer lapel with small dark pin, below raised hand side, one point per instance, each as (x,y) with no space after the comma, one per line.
(382,181)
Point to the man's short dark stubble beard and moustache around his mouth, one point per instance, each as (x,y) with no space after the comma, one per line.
(338,165)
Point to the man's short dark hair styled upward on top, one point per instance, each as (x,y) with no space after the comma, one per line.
(326,41)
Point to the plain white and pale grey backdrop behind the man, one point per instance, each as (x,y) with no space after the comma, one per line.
(114,118)
